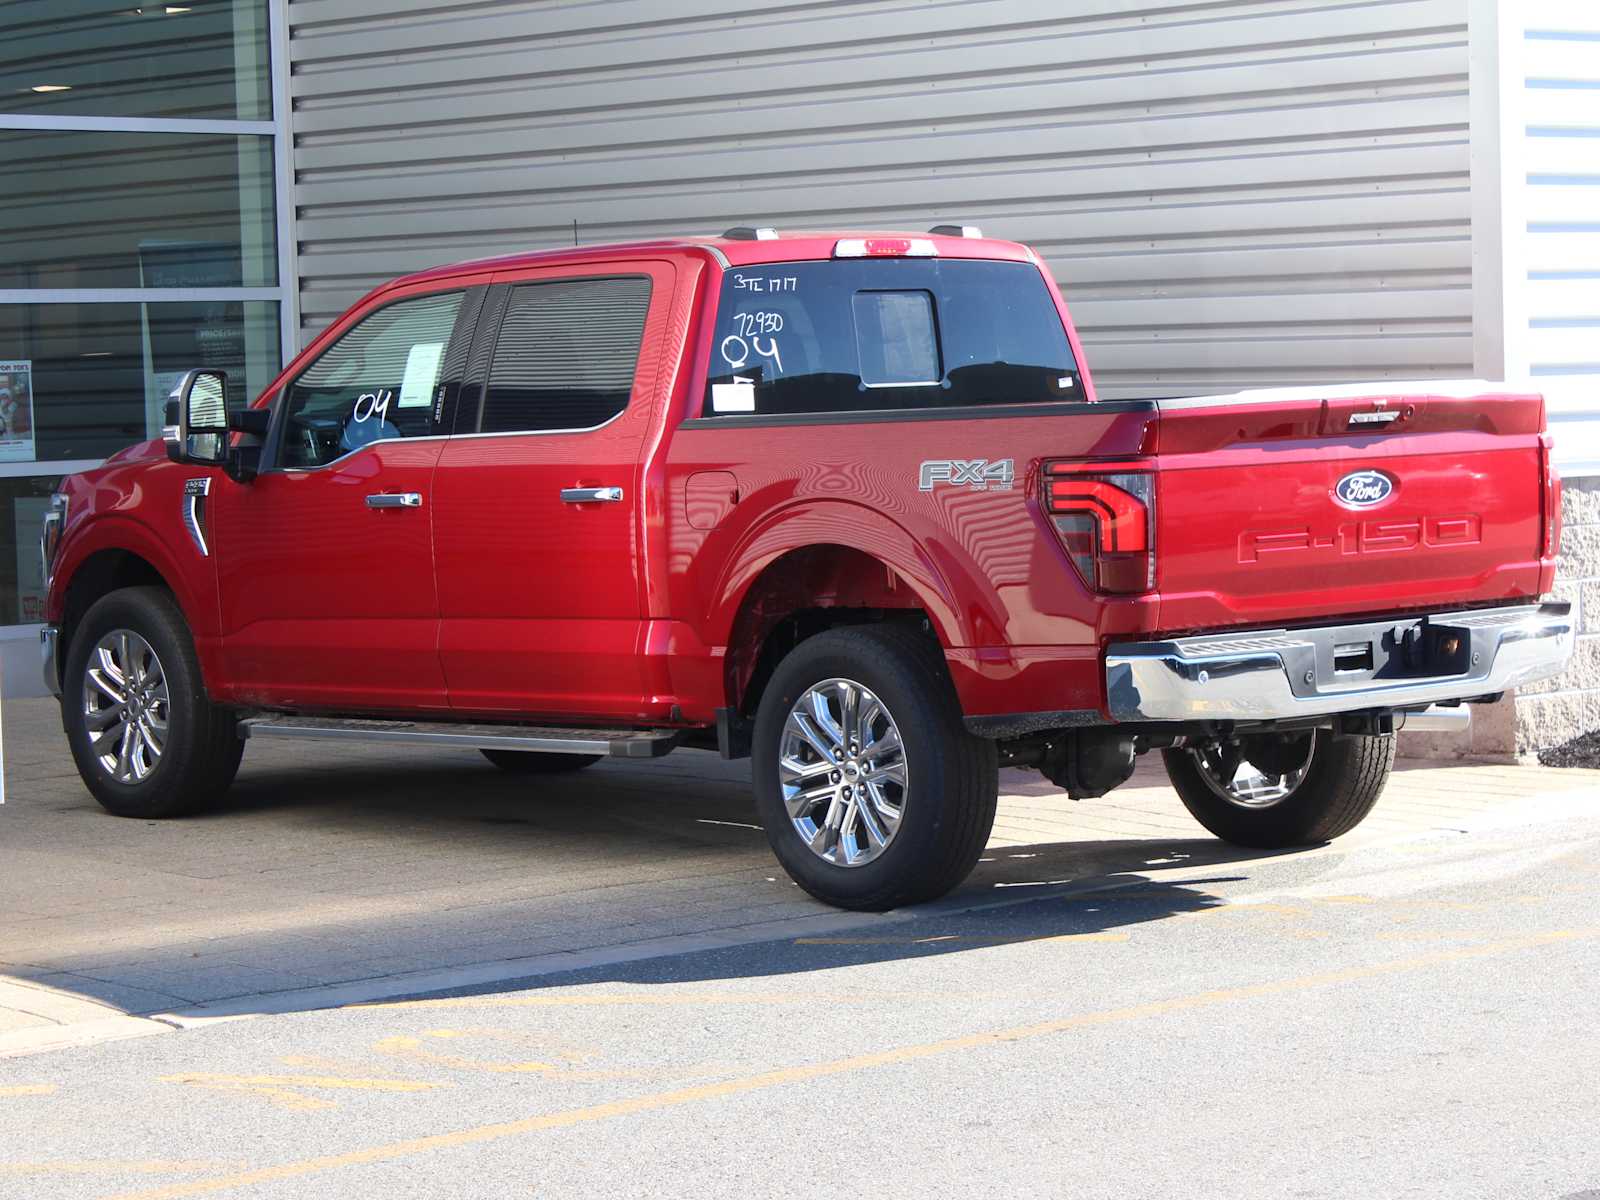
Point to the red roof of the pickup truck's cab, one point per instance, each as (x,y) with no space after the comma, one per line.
(735,252)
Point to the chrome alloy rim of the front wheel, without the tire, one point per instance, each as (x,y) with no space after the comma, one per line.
(126,706)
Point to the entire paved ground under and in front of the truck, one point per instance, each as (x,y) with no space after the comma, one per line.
(617,993)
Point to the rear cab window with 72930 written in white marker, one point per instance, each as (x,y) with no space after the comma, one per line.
(887,335)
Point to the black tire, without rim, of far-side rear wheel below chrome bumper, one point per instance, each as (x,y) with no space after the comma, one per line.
(1342,785)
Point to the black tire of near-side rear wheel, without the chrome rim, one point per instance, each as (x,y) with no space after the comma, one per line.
(953,777)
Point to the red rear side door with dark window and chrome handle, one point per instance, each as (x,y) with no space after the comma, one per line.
(538,510)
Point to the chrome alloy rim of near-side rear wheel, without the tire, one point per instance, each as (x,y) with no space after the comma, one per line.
(842,774)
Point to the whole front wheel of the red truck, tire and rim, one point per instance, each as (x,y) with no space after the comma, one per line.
(143,732)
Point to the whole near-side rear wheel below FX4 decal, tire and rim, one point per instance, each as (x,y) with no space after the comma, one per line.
(871,791)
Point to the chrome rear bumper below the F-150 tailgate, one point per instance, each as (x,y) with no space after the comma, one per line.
(1292,673)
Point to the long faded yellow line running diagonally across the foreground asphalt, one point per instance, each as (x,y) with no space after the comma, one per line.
(844,1066)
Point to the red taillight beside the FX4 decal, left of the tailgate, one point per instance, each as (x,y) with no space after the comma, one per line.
(1106,522)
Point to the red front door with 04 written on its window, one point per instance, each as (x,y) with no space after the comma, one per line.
(326,559)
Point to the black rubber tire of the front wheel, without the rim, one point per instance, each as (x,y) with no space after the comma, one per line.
(202,746)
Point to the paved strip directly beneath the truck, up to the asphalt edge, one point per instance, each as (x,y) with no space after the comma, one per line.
(337,874)
